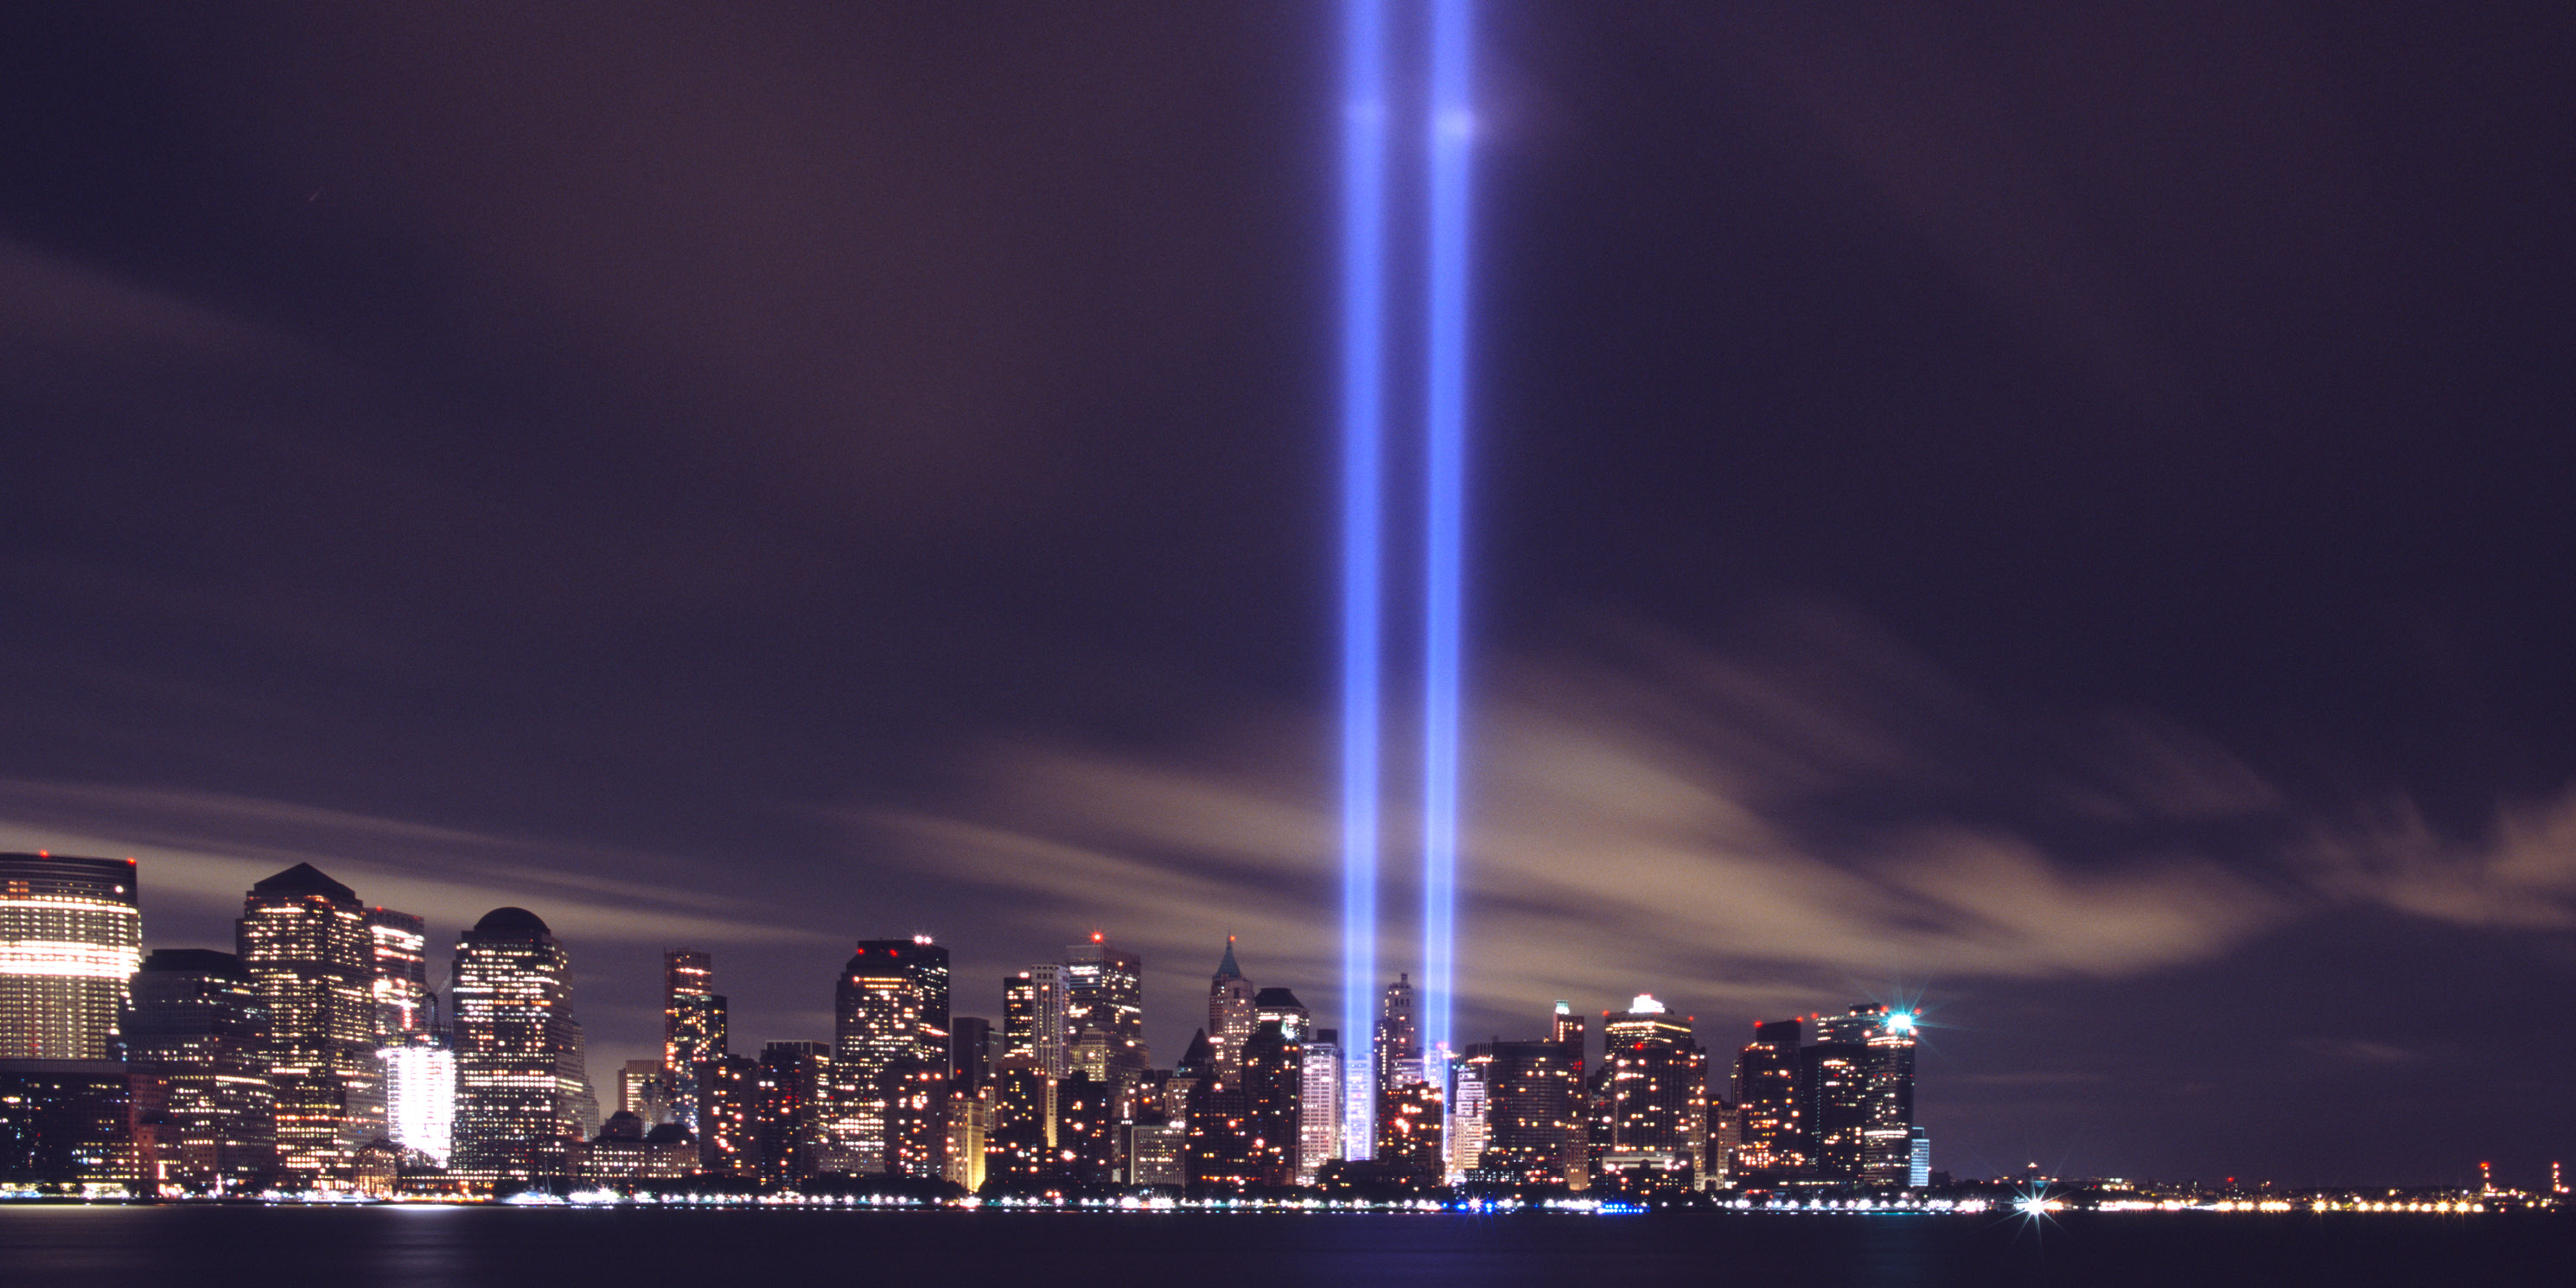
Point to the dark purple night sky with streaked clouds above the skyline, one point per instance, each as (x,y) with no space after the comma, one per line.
(2062,514)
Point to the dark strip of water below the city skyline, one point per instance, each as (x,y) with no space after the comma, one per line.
(635,1248)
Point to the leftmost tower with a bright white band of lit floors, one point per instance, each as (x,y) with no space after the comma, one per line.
(71,939)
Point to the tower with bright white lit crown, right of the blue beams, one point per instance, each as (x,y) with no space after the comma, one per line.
(1658,1101)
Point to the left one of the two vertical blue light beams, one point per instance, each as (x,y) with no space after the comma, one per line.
(1364,408)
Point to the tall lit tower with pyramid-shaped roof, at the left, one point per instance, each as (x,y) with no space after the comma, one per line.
(313,960)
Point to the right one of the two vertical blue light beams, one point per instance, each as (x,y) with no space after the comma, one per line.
(1452,133)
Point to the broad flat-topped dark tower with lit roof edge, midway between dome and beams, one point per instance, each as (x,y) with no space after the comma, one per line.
(890,1060)
